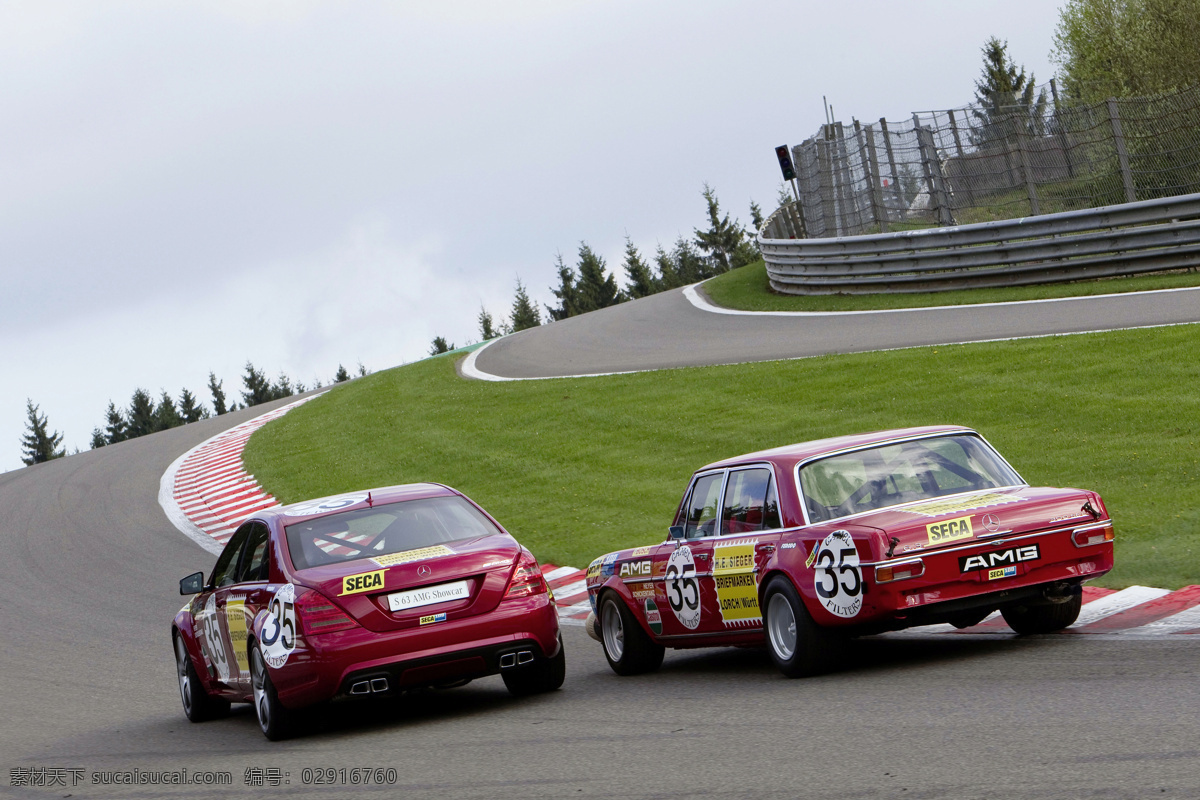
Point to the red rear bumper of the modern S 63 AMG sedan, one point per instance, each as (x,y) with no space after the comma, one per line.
(332,665)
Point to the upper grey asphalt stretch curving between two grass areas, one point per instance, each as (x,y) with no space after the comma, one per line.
(667,330)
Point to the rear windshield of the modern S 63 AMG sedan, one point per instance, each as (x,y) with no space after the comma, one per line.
(393,528)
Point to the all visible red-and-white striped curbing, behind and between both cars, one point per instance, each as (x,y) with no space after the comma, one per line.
(207,494)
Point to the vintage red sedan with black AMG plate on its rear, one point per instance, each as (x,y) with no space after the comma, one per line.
(806,545)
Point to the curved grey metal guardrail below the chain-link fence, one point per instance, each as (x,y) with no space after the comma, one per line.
(1127,239)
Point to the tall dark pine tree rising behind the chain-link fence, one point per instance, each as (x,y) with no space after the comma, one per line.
(1005,99)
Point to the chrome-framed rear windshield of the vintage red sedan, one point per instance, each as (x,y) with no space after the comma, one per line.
(878,478)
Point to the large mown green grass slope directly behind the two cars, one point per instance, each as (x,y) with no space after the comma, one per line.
(580,467)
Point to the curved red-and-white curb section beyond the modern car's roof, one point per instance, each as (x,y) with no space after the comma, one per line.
(207,492)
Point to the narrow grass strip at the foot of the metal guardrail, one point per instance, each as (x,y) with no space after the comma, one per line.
(747,288)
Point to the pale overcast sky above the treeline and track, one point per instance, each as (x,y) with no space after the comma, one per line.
(190,187)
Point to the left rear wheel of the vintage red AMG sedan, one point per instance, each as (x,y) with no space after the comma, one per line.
(797,646)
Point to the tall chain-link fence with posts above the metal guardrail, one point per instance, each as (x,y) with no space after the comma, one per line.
(980,164)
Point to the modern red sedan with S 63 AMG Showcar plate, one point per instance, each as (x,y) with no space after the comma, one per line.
(364,597)
